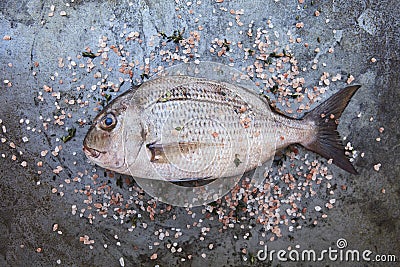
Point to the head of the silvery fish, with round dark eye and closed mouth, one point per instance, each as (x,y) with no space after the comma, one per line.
(104,142)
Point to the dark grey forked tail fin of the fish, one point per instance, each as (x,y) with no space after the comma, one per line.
(326,141)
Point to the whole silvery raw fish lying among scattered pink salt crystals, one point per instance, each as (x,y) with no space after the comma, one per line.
(184,128)
